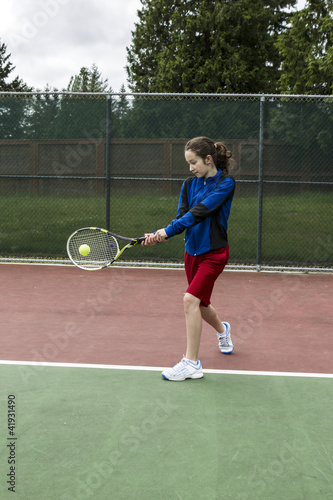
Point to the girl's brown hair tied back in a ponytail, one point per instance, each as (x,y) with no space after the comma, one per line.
(203,146)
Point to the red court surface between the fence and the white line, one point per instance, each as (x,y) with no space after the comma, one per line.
(279,322)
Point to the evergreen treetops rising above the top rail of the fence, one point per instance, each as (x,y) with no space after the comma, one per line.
(218,46)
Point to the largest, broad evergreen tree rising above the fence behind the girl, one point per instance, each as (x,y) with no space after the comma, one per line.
(207,46)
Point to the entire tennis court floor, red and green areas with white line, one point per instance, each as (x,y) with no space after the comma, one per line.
(92,418)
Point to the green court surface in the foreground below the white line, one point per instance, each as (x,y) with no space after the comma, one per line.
(128,435)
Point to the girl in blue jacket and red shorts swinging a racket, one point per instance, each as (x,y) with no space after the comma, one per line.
(203,211)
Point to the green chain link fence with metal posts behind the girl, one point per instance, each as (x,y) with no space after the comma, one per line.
(117,161)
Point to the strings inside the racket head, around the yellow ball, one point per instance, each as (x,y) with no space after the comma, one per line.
(103,248)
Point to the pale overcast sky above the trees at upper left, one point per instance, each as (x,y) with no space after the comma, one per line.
(50,40)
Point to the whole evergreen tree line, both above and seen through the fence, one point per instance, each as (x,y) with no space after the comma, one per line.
(178,46)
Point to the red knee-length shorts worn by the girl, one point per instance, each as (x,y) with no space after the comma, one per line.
(202,272)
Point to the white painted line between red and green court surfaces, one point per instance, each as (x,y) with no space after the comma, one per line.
(159,368)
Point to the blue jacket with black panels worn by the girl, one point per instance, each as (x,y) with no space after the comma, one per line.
(203,211)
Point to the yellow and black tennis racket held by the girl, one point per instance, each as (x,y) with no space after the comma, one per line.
(93,248)
